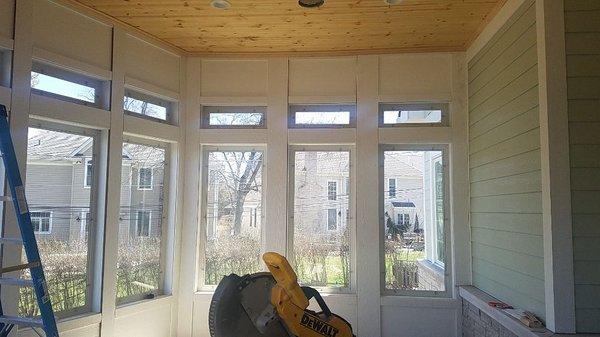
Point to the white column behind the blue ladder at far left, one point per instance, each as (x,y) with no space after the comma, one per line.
(19,122)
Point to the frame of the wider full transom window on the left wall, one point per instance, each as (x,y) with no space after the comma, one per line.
(101,87)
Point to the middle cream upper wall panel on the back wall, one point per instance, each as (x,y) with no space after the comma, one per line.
(322,77)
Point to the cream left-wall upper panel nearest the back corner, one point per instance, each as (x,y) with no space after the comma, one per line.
(151,64)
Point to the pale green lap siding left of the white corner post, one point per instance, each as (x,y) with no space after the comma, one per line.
(504,151)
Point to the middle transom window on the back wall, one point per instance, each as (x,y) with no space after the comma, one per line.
(326,116)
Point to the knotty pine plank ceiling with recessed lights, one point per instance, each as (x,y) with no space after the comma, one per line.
(283,27)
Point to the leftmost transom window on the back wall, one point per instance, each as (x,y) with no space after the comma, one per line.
(233,117)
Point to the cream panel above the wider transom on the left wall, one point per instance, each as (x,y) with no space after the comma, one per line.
(67,33)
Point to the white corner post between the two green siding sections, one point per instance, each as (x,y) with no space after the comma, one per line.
(556,189)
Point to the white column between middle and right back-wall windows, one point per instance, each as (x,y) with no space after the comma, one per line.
(368,246)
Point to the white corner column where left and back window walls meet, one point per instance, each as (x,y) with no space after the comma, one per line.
(188,269)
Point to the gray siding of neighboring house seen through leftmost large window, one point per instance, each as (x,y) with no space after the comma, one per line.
(49,189)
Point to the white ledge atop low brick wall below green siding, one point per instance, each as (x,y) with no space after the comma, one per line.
(480,299)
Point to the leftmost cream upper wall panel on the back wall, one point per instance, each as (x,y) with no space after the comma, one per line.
(234,78)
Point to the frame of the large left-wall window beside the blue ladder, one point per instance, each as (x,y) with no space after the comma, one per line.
(94,242)
